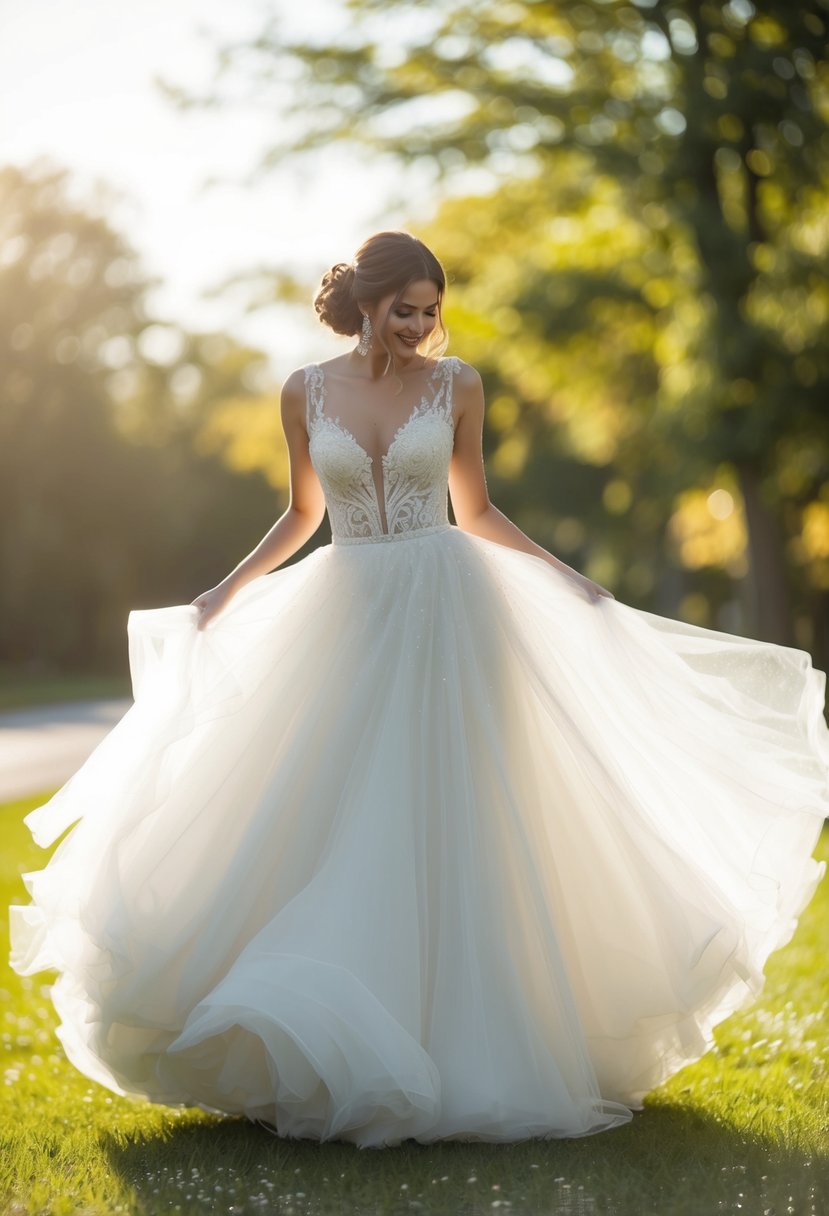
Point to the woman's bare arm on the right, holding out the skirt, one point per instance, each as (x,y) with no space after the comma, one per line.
(467,483)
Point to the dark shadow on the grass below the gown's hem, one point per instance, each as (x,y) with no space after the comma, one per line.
(672,1161)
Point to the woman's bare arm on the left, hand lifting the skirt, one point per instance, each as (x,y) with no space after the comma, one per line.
(297,525)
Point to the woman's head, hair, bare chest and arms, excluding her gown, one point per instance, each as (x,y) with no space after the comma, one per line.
(399,323)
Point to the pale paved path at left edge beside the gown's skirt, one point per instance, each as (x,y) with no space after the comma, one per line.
(42,748)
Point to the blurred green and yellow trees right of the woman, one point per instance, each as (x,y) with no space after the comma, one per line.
(634,209)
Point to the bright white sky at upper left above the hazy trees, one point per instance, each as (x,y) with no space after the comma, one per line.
(77,87)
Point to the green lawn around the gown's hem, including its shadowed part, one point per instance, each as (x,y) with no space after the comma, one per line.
(743,1131)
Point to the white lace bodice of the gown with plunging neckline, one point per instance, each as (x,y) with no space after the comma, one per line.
(415,469)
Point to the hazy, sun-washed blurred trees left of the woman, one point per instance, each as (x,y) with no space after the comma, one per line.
(120,485)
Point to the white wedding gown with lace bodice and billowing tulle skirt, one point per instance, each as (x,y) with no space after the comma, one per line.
(415,840)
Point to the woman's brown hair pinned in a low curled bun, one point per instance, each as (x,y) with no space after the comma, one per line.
(385,264)
